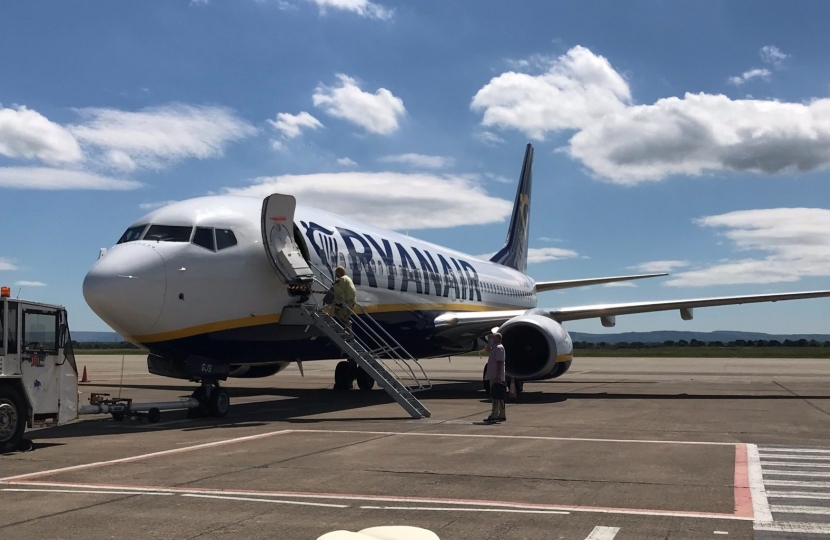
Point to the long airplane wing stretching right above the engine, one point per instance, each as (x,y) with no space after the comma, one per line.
(477,323)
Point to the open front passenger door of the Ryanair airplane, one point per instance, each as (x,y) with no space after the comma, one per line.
(278,239)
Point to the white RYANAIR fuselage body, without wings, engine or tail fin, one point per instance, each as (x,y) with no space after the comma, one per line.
(172,296)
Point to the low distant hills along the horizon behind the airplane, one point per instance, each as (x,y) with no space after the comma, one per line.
(656,336)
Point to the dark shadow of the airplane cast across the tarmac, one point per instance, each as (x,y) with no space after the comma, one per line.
(297,405)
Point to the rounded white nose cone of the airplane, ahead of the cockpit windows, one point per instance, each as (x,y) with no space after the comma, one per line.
(126,288)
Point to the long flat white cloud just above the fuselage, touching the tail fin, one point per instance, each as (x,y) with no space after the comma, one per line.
(390,200)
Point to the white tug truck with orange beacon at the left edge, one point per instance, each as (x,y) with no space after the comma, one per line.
(38,374)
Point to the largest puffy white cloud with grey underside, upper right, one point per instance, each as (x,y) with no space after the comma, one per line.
(629,144)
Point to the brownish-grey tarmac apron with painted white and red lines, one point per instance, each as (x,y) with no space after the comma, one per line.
(617,449)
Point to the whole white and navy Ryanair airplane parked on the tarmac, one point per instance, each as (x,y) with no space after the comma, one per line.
(202,285)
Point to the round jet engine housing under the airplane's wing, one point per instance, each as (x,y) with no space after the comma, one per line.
(536,347)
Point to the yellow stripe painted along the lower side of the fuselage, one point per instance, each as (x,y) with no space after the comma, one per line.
(275,318)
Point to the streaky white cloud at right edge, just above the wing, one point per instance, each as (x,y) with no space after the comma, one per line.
(794,243)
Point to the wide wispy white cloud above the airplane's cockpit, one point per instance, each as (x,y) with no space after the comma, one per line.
(158,136)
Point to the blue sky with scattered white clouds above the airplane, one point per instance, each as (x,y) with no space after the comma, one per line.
(688,137)
